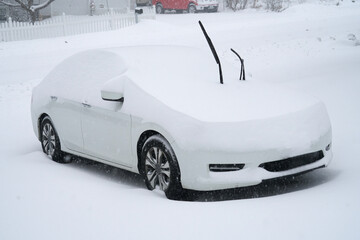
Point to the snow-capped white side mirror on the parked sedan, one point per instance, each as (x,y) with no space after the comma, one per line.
(113,90)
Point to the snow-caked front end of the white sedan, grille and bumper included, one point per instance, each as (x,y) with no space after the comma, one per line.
(292,139)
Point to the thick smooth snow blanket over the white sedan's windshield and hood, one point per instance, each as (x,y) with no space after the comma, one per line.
(187,80)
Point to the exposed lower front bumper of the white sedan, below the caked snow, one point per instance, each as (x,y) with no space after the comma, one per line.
(200,177)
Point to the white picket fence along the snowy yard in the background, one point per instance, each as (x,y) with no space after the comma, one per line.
(70,25)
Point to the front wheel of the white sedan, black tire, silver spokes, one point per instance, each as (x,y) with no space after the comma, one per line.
(160,167)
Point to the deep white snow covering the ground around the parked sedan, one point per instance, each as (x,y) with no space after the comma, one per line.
(306,47)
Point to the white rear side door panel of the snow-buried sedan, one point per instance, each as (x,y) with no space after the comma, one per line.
(66,116)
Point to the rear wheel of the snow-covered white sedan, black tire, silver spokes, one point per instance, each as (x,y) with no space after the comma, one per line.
(50,142)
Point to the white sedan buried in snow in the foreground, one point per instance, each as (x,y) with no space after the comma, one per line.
(179,129)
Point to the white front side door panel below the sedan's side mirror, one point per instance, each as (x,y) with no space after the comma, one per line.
(107,131)
